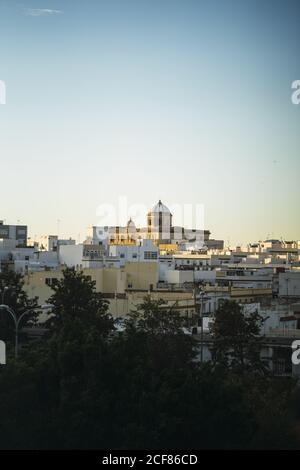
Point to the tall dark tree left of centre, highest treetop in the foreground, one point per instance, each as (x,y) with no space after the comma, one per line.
(80,330)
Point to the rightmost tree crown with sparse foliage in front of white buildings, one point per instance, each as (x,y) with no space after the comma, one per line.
(236,339)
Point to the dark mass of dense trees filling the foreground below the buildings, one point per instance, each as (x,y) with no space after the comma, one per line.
(87,385)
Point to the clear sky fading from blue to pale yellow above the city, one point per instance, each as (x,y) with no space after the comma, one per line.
(187,101)
